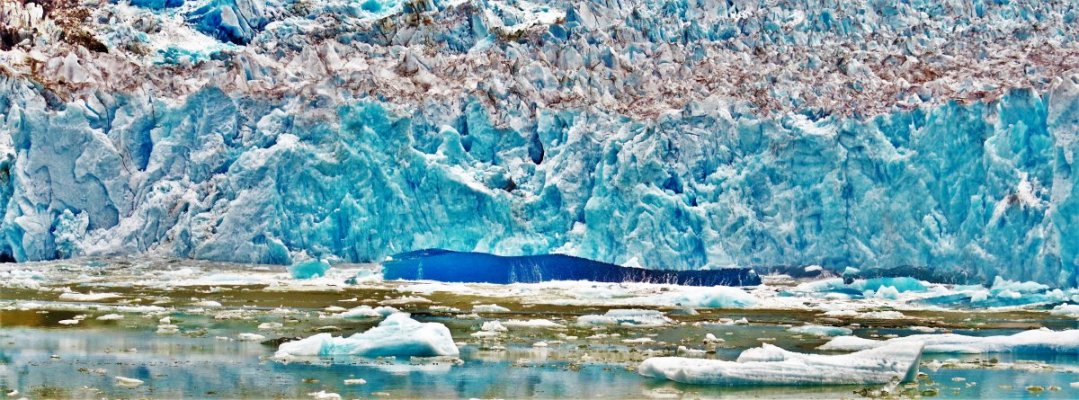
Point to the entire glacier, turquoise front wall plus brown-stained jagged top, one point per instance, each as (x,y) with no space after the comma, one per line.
(657,134)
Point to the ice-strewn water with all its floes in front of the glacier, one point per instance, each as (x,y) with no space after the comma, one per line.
(865,338)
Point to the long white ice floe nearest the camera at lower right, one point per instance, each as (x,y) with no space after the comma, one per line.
(773,366)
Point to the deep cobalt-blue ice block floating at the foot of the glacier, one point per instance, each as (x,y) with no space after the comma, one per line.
(446,266)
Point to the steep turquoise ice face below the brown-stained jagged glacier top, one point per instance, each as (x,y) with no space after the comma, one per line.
(977,190)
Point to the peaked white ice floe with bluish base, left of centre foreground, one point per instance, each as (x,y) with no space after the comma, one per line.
(398,336)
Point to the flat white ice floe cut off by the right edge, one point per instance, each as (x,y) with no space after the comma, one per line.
(1035,341)
